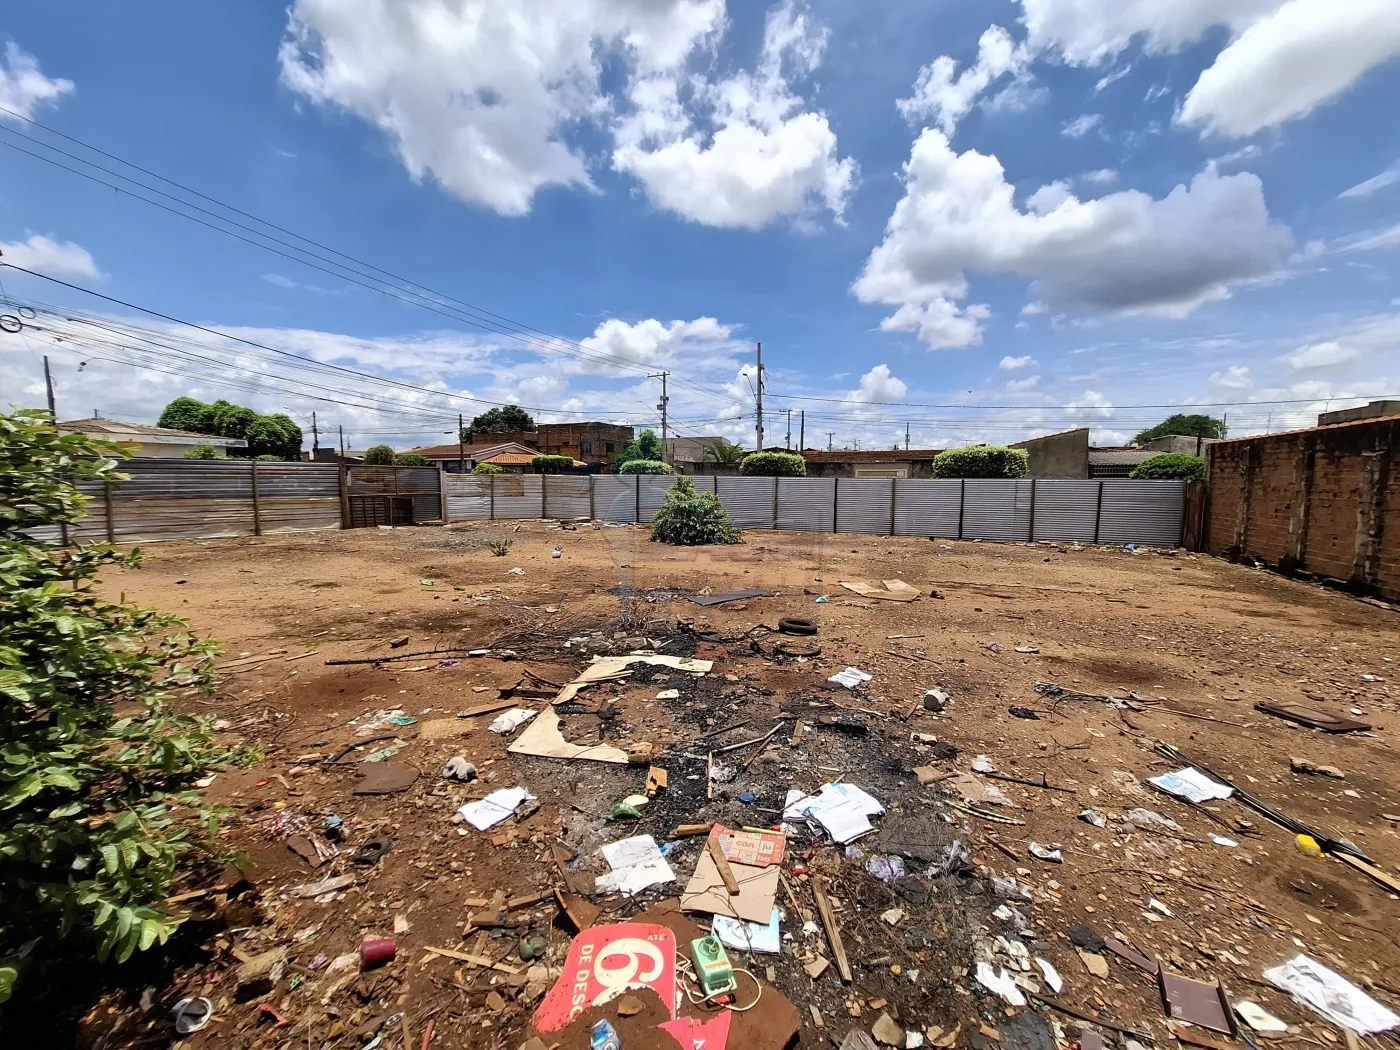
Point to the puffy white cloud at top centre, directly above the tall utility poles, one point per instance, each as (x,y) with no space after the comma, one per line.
(744,150)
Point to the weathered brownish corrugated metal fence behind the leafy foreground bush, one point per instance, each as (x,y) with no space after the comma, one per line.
(208,499)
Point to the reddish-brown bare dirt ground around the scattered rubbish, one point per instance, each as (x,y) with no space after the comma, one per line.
(1198,640)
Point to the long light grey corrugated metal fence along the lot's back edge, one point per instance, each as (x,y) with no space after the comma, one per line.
(1065,510)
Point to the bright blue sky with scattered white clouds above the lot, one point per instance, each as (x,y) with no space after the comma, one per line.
(982,220)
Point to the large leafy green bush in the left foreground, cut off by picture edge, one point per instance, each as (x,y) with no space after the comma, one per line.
(99,814)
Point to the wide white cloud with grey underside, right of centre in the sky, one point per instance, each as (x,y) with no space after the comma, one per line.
(1123,254)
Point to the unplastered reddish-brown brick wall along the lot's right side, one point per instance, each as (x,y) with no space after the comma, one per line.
(1324,500)
